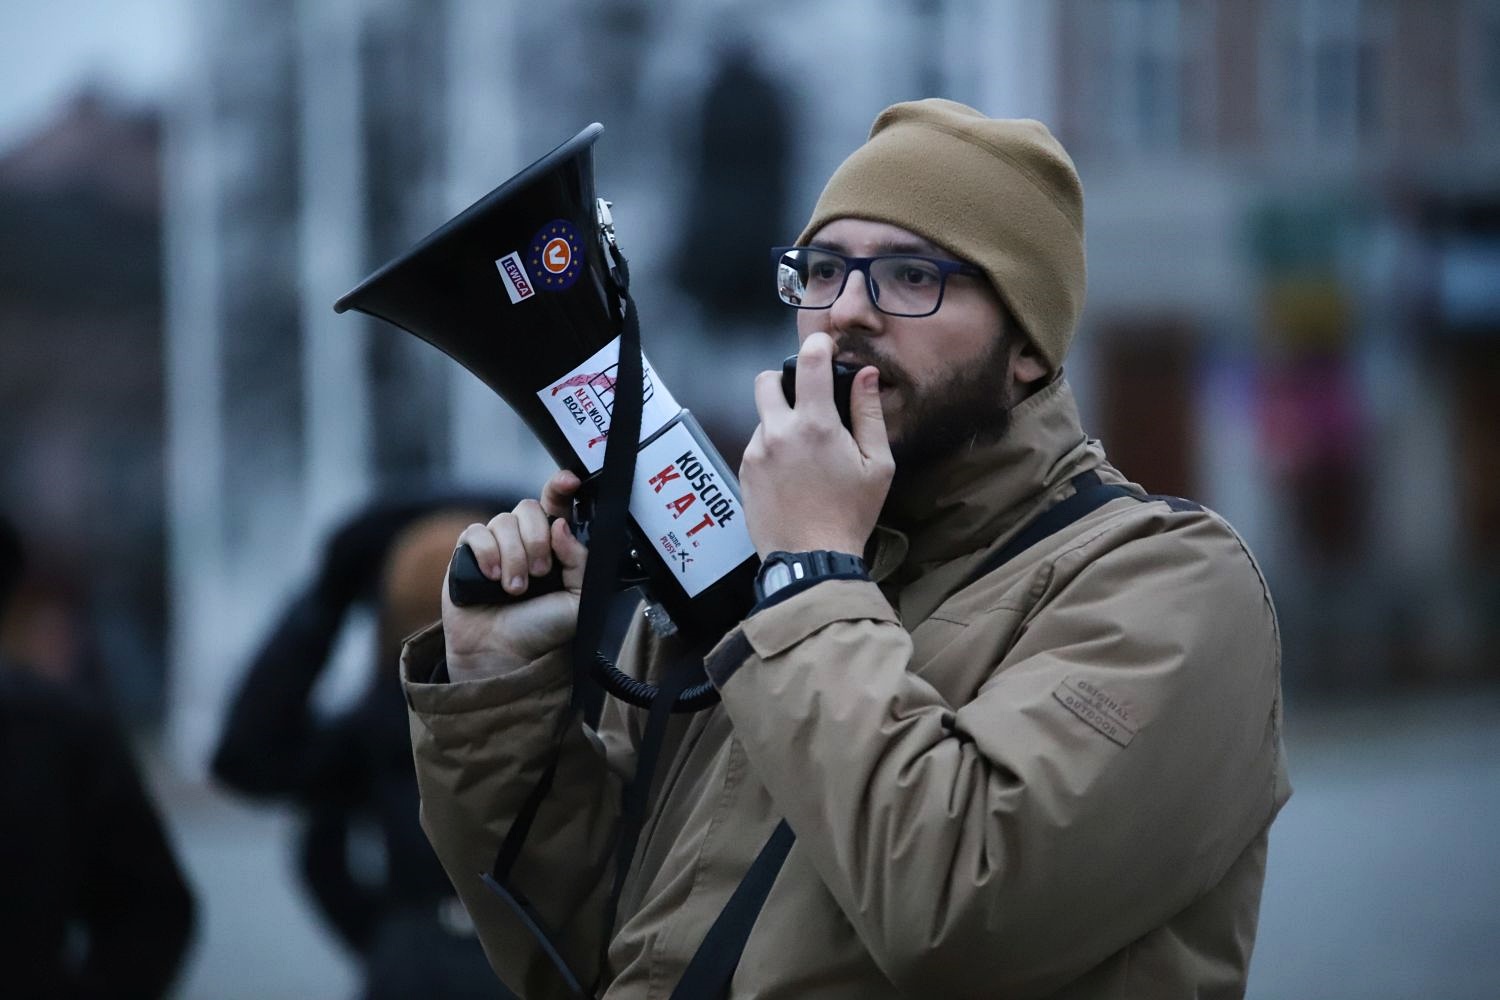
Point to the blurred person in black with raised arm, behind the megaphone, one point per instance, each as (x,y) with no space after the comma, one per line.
(350,776)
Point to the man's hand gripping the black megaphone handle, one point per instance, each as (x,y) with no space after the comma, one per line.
(514,548)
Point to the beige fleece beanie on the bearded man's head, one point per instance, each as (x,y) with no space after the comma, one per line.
(1001,194)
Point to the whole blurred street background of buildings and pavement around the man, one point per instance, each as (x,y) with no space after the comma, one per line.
(1294,317)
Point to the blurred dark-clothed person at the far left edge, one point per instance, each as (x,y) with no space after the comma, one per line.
(92,899)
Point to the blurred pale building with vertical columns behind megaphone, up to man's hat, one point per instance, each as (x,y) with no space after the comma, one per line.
(317,140)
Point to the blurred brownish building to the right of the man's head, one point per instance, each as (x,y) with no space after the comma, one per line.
(1295,299)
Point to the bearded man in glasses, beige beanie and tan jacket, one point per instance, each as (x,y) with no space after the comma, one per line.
(1013,770)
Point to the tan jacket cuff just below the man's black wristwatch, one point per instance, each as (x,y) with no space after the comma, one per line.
(778,627)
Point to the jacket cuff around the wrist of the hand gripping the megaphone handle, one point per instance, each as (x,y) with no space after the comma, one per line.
(424,677)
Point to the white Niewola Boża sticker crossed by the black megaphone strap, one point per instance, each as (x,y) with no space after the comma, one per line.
(581,404)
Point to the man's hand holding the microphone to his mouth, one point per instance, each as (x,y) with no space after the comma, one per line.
(808,482)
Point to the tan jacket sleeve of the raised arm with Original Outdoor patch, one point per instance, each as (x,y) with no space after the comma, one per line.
(1117,762)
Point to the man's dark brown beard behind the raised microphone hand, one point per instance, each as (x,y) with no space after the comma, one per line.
(971,407)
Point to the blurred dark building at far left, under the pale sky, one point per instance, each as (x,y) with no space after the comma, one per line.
(82,389)
